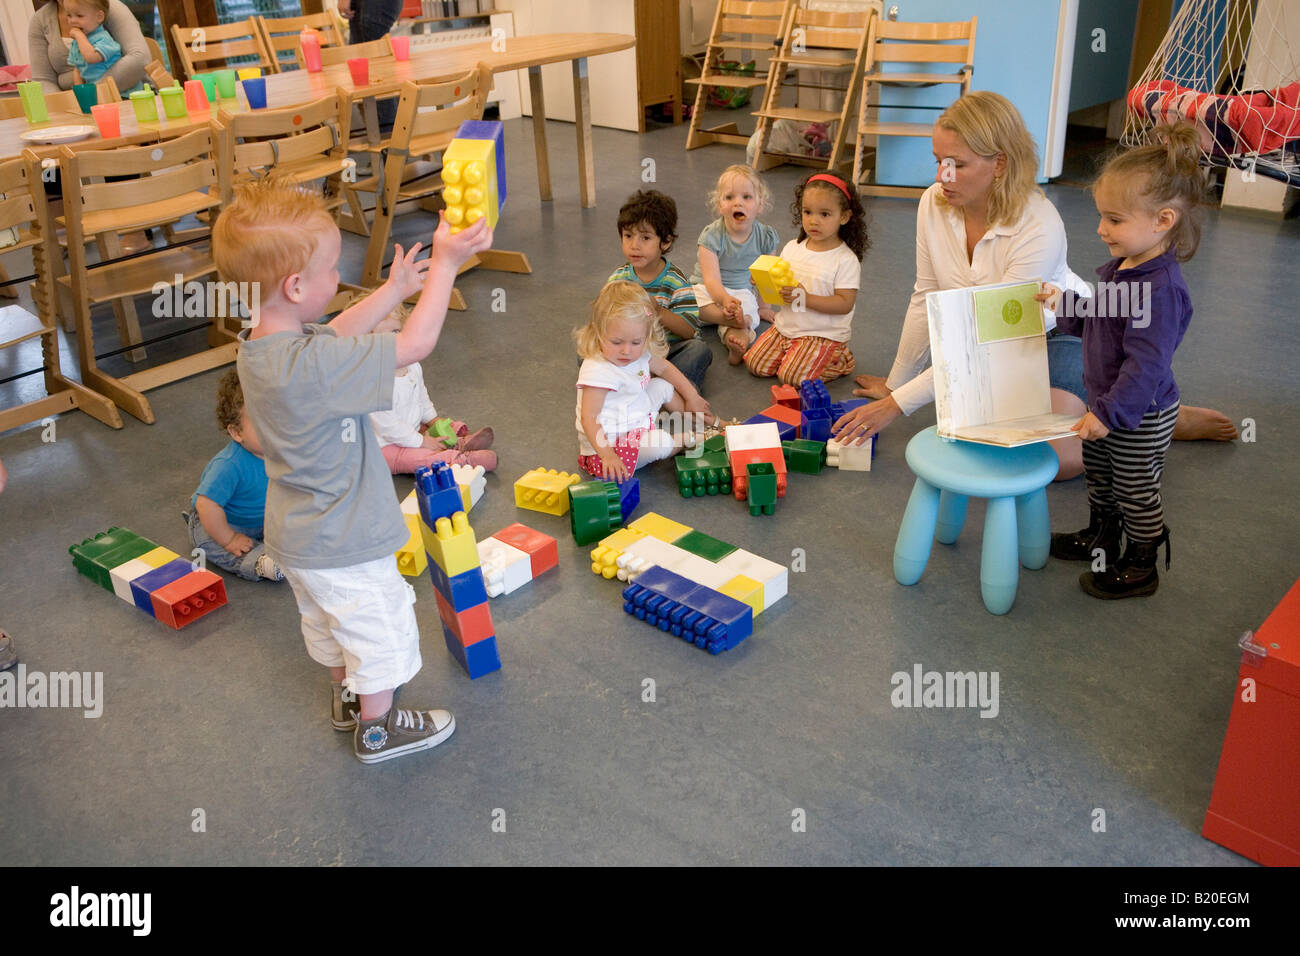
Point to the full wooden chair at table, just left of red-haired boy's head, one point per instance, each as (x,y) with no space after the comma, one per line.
(175,180)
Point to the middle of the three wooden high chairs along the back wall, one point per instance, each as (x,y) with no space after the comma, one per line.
(824,42)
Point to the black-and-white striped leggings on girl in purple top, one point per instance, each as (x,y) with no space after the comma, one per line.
(1124,473)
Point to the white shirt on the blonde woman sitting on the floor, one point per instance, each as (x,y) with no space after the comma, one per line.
(1030,250)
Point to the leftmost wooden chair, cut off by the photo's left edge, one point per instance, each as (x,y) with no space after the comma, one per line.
(24,211)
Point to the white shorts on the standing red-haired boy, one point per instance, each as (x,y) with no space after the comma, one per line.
(361,618)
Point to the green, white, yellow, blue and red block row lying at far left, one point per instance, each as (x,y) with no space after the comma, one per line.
(157,581)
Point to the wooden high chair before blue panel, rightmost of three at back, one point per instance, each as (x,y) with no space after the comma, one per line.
(908,45)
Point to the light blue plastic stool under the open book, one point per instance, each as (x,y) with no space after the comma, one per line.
(1016,525)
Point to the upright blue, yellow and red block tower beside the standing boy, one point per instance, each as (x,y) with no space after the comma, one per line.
(454,568)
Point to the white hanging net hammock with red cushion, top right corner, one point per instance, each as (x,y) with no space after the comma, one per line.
(1228,67)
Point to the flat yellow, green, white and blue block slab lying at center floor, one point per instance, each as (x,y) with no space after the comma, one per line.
(687,583)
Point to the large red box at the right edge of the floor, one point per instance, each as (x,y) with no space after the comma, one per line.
(1255,810)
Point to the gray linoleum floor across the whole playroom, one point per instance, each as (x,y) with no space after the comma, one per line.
(1115,707)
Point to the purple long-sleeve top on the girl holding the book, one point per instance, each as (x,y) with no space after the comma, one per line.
(1130,331)
